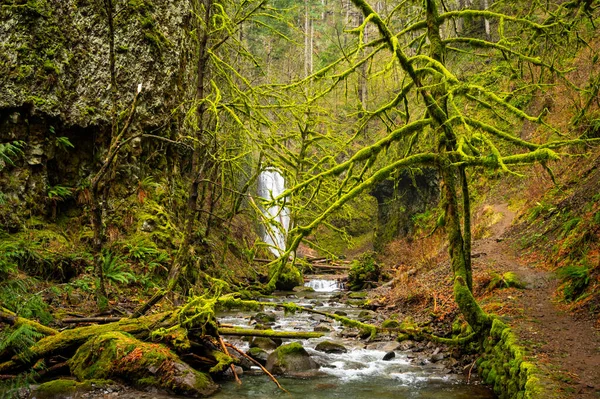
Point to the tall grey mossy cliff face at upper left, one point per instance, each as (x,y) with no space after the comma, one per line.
(56,82)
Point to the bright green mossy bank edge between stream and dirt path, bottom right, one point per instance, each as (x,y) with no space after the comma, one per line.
(503,367)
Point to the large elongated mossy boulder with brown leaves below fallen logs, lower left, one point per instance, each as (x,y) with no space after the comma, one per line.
(120,355)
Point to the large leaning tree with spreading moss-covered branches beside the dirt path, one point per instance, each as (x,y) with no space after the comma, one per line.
(449,122)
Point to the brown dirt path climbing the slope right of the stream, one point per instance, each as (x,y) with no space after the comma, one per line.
(567,349)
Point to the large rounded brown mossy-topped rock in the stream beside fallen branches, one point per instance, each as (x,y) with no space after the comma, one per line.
(290,359)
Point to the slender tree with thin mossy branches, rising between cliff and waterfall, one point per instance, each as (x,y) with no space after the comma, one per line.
(219,124)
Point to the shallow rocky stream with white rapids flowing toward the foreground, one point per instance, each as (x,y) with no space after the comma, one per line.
(360,373)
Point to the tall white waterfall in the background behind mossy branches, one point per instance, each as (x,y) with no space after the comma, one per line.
(270,185)
